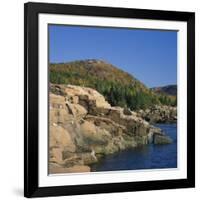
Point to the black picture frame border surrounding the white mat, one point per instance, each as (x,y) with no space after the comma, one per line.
(31,12)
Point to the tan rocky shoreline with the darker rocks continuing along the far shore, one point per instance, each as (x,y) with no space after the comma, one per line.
(84,127)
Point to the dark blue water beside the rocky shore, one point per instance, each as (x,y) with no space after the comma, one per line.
(144,157)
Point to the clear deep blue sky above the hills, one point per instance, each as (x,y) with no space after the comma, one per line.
(149,55)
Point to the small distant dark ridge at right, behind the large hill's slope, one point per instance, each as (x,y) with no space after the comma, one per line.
(168,89)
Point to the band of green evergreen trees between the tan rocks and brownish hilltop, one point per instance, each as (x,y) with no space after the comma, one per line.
(133,96)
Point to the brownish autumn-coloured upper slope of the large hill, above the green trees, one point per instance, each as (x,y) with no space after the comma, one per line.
(99,69)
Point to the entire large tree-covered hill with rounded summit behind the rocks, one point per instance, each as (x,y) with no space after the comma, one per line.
(118,87)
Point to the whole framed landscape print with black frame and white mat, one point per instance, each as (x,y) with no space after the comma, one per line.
(109,99)
